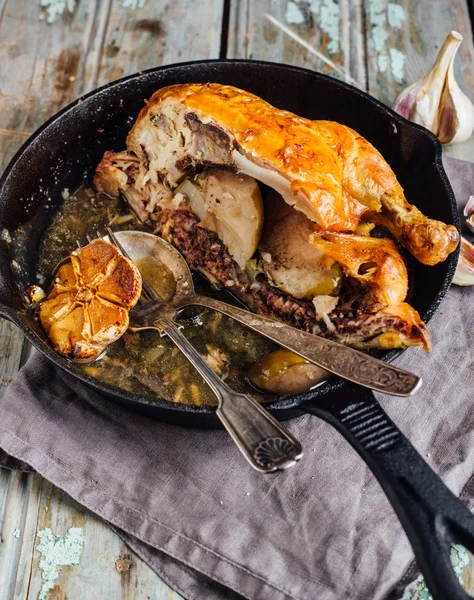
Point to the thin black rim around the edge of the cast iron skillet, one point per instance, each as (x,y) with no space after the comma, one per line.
(285,402)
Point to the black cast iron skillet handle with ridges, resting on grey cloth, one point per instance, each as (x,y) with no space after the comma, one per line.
(432,517)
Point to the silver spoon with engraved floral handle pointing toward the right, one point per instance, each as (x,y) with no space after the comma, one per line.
(336,358)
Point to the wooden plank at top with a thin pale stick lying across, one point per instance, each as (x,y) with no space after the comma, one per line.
(333,29)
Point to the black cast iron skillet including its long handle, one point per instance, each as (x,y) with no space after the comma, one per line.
(68,147)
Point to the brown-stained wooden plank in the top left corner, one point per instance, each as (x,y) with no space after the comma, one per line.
(43,64)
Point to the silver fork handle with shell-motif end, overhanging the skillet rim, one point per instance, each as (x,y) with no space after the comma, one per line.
(265,444)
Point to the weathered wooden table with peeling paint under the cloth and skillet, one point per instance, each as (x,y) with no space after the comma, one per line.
(51,54)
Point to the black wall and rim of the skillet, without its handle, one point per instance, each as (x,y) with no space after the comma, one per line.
(67,149)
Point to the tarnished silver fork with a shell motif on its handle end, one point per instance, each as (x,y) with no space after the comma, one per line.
(262,440)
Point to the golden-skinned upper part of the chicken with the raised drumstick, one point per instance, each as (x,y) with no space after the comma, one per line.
(325,169)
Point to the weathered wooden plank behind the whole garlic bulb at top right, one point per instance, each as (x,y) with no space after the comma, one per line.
(402,44)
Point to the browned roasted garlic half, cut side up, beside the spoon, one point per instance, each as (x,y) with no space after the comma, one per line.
(87,307)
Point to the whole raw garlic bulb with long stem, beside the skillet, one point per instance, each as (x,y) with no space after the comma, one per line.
(436,101)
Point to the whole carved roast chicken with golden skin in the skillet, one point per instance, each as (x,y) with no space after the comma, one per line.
(317,266)
